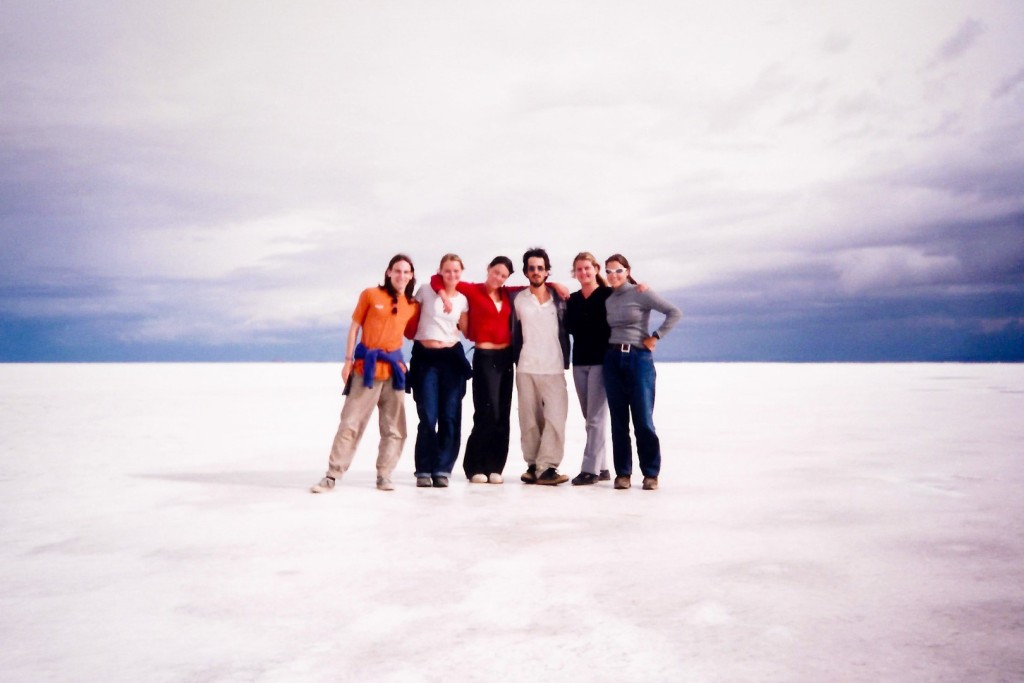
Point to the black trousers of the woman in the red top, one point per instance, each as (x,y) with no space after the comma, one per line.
(488,448)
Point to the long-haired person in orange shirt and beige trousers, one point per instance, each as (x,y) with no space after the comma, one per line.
(375,374)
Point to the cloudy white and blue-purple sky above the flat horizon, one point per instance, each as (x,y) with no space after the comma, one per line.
(805,181)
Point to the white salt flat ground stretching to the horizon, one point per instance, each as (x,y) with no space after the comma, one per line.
(816,523)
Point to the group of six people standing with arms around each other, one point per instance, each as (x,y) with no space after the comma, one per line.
(527,328)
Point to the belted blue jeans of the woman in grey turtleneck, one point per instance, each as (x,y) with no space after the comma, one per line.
(629,381)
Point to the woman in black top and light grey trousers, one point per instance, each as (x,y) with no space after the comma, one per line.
(589,327)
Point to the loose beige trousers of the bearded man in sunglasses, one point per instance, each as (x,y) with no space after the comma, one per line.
(544,407)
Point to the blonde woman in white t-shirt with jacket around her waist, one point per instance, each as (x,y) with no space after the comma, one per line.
(438,375)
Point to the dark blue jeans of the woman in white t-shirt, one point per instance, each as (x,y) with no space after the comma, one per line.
(439,391)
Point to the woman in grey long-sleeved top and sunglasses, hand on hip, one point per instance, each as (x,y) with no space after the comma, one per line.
(629,372)
